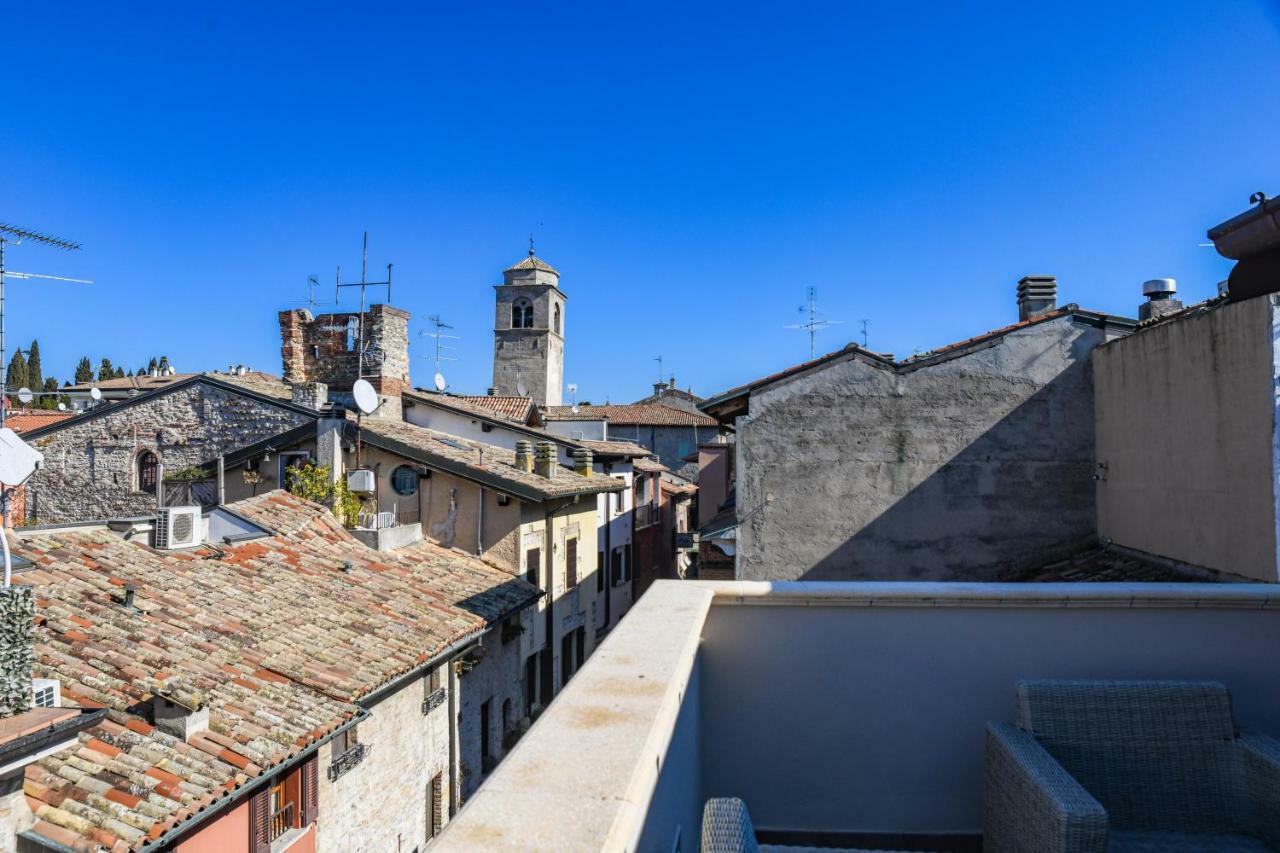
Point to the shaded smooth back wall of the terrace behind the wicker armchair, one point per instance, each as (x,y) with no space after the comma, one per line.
(872,719)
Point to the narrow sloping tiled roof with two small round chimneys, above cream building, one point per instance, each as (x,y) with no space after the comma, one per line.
(486,463)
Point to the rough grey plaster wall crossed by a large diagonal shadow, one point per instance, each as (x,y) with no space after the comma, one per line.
(952,472)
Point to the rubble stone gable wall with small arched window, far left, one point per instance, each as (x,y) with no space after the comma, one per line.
(89,468)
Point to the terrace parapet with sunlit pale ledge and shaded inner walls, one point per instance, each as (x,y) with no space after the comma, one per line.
(845,714)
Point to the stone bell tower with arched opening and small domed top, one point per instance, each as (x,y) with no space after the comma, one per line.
(529,332)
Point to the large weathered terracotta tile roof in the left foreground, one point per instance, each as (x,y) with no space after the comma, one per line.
(277,636)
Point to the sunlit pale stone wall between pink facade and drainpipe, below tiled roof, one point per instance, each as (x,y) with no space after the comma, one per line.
(383,804)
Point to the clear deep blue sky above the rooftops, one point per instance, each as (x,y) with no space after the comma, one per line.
(689,168)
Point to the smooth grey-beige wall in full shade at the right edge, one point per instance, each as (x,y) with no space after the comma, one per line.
(1186,425)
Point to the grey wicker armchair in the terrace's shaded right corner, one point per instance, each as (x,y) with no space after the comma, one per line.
(1130,767)
